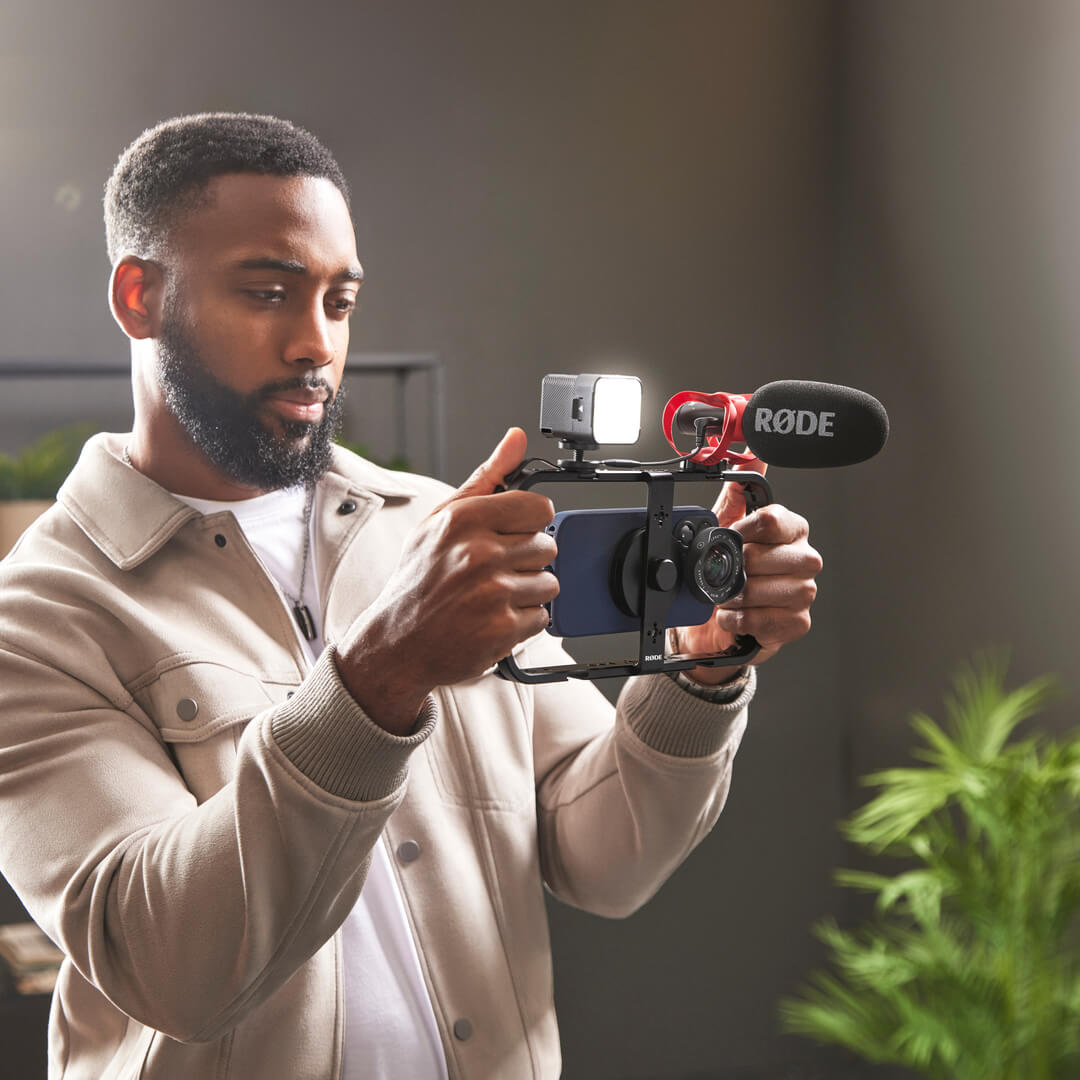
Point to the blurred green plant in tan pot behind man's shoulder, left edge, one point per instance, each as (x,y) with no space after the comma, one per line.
(31,480)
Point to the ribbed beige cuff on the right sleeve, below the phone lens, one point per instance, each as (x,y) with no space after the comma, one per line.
(671,721)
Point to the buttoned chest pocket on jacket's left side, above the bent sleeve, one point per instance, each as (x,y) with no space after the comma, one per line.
(201,710)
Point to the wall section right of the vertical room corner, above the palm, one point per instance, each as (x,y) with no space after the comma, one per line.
(960,251)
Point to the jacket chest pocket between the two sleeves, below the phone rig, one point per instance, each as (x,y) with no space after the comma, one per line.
(481,752)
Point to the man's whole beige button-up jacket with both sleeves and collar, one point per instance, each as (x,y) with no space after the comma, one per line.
(187,808)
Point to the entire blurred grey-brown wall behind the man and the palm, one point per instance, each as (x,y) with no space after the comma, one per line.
(708,195)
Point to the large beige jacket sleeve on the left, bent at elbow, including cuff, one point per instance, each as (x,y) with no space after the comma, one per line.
(186,915)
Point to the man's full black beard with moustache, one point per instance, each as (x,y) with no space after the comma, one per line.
(226,426)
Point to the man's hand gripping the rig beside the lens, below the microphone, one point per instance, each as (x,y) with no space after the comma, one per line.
(775,605)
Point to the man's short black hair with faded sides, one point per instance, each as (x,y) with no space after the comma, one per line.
(168,169)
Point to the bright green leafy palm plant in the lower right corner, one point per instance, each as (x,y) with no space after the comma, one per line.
(970,969)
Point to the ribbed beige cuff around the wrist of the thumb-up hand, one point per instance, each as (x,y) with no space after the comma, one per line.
(336,745)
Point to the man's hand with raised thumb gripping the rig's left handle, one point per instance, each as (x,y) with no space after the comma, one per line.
(469,588)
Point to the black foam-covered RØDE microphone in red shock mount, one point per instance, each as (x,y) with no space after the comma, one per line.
(791,424)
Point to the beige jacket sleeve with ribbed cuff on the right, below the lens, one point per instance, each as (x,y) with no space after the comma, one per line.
(625,794)
